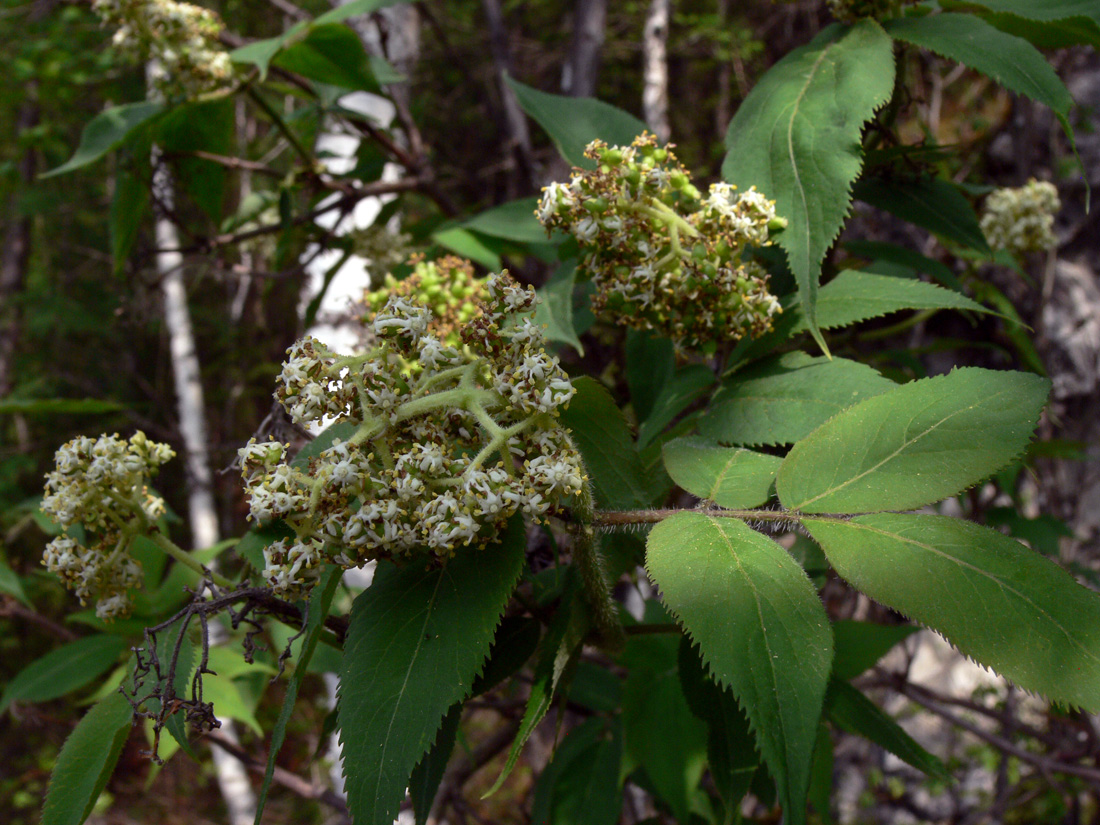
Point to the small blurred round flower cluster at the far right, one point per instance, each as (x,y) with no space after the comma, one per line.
(1022,219)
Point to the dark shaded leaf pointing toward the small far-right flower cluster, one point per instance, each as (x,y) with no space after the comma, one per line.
(936,205)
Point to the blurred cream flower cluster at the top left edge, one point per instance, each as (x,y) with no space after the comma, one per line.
(182,38)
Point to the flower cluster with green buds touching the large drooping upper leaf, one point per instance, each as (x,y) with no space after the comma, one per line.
(663,256)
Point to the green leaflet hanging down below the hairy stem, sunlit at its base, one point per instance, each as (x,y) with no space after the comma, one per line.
(762,630)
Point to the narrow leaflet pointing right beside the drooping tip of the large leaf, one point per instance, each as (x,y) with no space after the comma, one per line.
(856,295)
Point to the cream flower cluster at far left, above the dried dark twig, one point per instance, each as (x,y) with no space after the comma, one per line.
(102,485)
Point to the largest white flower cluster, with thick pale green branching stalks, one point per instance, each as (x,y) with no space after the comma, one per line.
(450,443)
